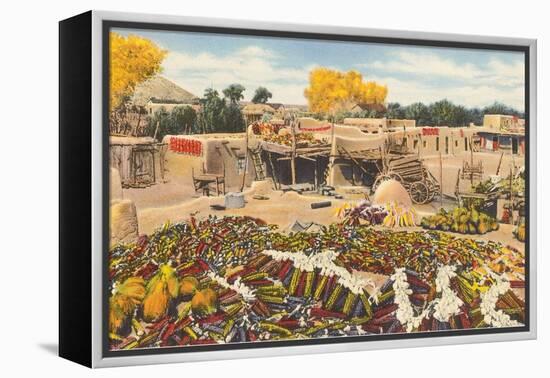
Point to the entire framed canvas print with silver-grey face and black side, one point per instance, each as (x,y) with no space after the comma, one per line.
(232,189)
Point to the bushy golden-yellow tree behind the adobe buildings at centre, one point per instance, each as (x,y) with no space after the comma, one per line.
(331,90)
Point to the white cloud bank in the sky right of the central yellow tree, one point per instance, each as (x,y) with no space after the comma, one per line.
(430,77)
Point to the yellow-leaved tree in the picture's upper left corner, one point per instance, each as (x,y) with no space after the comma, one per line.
(133,59)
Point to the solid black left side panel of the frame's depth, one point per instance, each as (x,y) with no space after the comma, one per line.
(75,189)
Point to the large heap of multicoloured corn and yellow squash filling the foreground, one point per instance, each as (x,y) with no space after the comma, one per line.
(236,279)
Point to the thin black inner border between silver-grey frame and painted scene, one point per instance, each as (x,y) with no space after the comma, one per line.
(106,27)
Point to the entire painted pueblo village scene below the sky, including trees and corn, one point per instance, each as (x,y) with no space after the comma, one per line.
(236,220)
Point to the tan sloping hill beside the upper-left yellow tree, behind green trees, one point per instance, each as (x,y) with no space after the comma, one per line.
(161,90)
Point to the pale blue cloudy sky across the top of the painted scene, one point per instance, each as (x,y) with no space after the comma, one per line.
(468,77)
